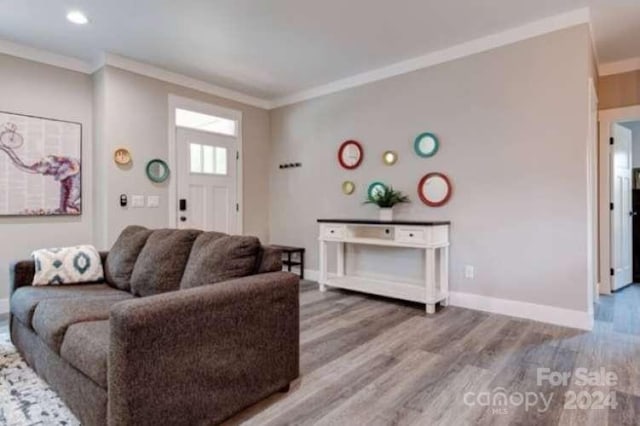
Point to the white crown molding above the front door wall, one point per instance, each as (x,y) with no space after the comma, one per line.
(147,70)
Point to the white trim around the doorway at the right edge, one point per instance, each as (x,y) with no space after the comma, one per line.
(607,117)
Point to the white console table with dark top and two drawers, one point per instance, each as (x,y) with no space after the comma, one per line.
(432,237)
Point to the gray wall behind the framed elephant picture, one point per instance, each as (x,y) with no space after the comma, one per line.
(36,89)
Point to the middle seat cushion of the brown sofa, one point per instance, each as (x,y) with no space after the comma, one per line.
(52,317)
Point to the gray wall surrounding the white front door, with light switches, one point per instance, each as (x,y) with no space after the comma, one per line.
(132,111)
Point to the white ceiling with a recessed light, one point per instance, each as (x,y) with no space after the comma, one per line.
(274,48)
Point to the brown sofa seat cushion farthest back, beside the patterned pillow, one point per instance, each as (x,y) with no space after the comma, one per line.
(25,299)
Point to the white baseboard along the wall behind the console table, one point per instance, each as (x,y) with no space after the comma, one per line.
(531,311)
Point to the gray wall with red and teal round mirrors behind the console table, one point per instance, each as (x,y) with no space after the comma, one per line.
(513,129)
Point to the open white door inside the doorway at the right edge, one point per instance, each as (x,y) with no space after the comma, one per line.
(621,219)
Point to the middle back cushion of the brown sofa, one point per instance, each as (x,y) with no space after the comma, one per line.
(161,263)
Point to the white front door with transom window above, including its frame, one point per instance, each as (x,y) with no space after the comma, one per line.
(205,149)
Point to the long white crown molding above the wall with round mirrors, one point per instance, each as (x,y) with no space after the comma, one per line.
(479,45)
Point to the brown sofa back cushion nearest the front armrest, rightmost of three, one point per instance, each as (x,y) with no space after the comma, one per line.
(219,257)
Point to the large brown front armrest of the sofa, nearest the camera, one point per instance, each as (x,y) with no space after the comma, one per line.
(200,355)
